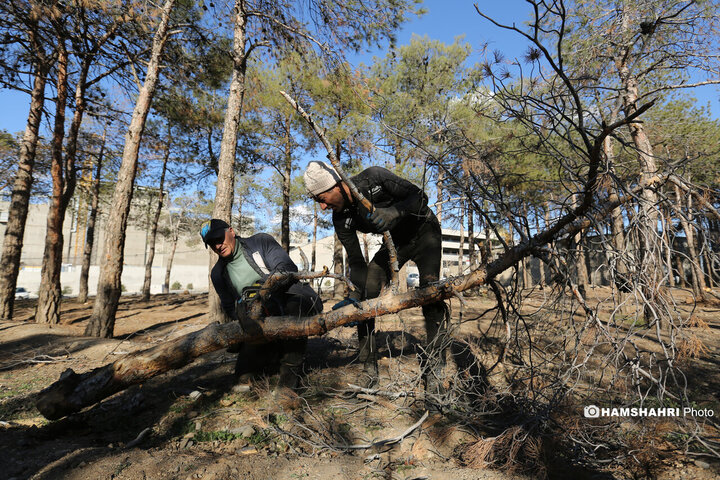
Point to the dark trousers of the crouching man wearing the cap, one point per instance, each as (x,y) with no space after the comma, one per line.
(266,358)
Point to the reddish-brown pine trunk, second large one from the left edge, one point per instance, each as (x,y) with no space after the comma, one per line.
(49,294)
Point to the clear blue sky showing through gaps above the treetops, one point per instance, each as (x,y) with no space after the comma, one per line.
(445,20)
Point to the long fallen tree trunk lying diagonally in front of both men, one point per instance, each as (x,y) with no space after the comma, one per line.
(72,392)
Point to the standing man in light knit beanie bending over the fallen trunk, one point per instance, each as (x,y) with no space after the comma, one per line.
(402,209)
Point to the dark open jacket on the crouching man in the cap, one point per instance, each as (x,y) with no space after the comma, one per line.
(265,256)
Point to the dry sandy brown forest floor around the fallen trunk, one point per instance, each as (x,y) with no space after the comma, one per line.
(190,423)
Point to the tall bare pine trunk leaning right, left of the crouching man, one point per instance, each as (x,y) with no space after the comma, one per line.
(102,321)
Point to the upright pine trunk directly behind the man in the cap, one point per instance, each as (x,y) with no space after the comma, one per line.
(228,147)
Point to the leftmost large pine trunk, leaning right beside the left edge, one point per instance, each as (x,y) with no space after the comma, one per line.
(20,197)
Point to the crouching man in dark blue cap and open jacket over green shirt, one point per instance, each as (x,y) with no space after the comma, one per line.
(243,266)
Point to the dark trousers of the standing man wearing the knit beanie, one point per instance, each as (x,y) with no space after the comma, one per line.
(425,249)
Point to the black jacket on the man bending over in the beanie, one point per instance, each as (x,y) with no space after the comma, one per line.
(383,189)
